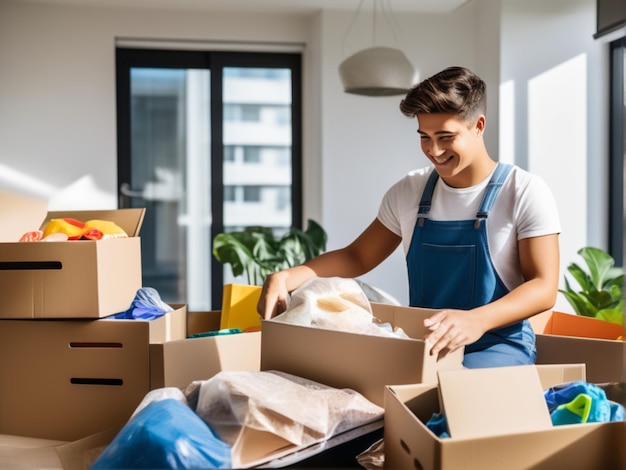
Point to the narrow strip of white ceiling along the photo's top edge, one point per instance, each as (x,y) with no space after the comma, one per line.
(277,6)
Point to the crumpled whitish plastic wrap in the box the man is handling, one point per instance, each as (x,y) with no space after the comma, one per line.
(334,303)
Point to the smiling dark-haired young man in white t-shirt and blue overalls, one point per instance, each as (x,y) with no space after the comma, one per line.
(480,238)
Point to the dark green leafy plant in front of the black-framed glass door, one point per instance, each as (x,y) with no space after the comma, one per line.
(257,252)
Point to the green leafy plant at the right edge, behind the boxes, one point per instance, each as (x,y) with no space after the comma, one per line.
(600,292)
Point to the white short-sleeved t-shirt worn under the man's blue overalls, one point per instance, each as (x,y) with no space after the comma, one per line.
(524,208)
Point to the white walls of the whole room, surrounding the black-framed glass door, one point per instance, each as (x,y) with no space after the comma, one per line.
(57,101)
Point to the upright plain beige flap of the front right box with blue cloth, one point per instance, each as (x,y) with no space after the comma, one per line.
(493,401)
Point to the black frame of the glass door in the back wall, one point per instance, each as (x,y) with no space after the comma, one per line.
(129,57)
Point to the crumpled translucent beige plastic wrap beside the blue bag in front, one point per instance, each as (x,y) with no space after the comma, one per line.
(300,411)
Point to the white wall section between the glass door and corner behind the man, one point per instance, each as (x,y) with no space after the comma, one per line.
(368,144)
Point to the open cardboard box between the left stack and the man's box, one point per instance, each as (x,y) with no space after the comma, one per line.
(178,363)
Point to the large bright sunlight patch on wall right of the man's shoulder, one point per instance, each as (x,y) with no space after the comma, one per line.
(557,145)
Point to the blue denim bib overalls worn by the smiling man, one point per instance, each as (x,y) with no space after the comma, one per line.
(450,266)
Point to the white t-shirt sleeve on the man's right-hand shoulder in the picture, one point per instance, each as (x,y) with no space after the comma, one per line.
(538,213)
